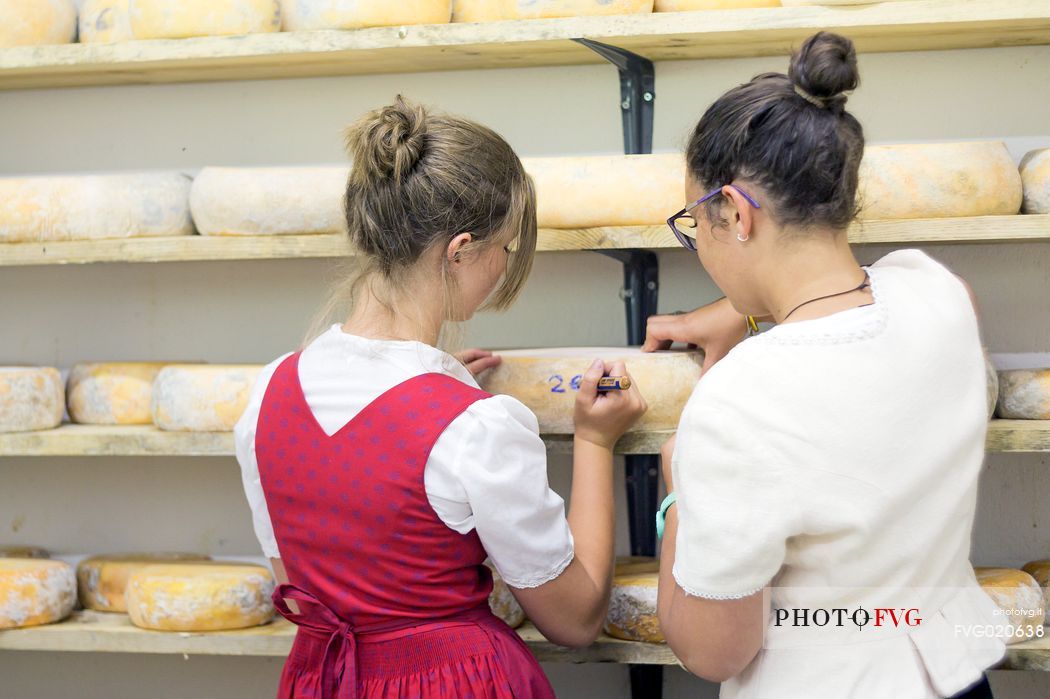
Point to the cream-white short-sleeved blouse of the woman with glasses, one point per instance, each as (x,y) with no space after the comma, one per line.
(836,460)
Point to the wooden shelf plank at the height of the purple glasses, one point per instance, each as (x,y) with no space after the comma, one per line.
(191,248)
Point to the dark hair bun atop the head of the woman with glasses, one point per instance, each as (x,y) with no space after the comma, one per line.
(826,68)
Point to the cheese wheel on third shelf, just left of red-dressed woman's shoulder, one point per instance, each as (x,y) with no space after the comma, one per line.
(202,398)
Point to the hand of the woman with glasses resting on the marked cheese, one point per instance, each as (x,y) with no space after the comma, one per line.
(717,329)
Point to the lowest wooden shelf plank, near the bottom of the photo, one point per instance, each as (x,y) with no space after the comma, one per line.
(98,632)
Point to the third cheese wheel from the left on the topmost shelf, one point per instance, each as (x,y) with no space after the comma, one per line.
(180,19)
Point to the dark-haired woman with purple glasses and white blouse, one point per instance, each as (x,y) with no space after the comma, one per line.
(824,478)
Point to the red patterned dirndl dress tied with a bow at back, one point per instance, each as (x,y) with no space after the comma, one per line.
(392,603)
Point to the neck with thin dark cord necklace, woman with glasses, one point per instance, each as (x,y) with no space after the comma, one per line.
(807,269)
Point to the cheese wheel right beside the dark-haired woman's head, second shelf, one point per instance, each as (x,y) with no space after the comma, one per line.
(938,181)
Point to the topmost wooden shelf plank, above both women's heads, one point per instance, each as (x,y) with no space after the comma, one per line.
(926,26)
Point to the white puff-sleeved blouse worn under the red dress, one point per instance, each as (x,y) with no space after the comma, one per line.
(488,471)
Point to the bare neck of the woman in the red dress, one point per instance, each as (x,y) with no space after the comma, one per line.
(381,315)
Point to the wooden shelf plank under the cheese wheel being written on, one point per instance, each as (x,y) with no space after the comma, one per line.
(1004,436)
